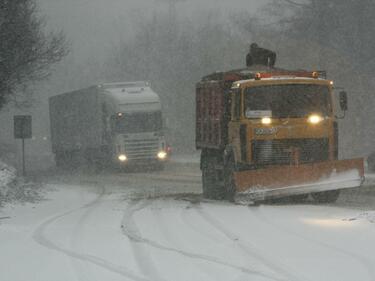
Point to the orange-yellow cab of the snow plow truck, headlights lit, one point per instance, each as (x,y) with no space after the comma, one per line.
(282,121)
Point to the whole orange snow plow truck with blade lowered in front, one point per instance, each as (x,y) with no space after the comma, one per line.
(266,132)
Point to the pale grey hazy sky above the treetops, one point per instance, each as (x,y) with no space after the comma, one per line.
(93,25)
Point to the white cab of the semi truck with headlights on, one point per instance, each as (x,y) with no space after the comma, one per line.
(136,124)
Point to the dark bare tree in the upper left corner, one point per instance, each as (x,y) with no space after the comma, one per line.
(26,50)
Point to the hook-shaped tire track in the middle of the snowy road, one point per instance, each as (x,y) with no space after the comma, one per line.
(128,229)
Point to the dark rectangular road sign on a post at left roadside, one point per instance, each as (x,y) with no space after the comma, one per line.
(22,130)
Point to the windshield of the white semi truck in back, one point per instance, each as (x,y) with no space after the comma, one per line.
(139,122)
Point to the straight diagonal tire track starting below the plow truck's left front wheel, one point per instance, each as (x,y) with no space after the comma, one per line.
(250,249)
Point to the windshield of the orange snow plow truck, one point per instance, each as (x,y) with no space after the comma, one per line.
(283,101)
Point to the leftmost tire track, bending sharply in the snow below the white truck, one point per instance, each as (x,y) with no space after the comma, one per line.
(40,237)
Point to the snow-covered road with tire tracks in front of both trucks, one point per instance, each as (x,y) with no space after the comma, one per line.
(155,227)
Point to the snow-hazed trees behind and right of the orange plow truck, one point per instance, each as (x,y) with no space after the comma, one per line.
(332,35)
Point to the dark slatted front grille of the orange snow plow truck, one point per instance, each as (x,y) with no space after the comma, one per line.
(281,151)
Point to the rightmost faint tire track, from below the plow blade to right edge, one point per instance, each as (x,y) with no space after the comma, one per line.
(368,265)
